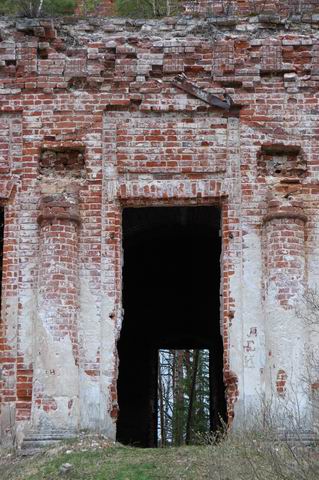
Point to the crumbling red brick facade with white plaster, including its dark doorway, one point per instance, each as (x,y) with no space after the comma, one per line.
(121,136)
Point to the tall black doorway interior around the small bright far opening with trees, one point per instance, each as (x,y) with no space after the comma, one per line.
(171,286)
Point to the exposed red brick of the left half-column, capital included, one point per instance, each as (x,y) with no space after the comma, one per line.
(58,270)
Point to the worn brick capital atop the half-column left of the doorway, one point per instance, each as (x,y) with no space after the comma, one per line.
(59,206)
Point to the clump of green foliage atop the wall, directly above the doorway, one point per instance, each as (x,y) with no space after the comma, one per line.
(147,8)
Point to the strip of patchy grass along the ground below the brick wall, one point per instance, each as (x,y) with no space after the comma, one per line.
(252,456)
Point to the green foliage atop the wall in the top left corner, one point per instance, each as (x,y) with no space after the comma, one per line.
(34,8)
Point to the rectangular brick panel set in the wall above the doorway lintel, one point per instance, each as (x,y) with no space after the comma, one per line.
(169,142)
